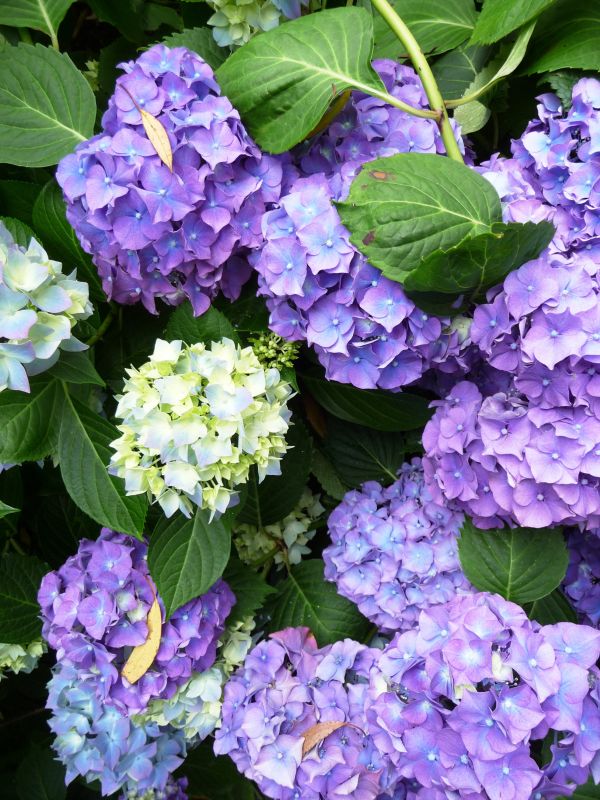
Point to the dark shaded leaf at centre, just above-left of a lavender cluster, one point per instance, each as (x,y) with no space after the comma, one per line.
(361,454)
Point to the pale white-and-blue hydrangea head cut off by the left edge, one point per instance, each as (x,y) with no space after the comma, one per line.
(39,306)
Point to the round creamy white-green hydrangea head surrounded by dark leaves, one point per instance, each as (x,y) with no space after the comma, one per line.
(196,419)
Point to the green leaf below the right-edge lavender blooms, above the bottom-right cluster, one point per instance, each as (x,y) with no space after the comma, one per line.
(521,564)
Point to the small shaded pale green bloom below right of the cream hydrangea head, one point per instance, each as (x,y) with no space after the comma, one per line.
(288,537)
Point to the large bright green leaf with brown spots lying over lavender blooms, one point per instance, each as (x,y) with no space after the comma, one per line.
(403,208)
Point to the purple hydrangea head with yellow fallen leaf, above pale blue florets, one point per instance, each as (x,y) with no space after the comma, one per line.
(94,609)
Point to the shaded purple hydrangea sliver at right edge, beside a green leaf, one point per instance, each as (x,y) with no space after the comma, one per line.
(582,581)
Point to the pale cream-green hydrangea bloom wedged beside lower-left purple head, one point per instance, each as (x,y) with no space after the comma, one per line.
(195,708)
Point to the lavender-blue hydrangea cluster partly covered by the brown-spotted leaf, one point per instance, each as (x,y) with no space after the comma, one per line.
(318,287)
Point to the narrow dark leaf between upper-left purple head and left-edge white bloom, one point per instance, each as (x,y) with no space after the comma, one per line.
(58,237)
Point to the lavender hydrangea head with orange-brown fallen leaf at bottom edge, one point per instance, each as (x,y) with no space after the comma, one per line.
(285,688)
